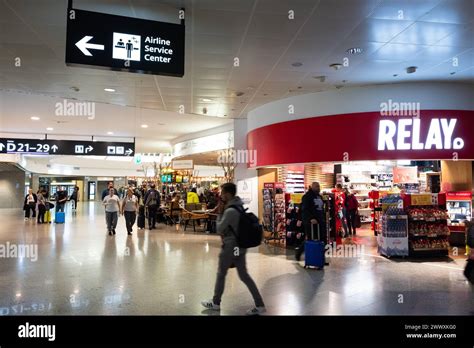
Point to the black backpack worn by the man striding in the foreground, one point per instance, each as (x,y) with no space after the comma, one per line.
(250,231)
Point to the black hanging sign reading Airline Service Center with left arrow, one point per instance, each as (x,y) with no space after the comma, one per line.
(124,43)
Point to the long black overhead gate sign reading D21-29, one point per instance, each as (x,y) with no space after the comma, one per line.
(66,147)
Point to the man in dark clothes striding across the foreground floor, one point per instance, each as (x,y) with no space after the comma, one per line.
(229,225)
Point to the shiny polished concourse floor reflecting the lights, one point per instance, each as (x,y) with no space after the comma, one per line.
(81,270)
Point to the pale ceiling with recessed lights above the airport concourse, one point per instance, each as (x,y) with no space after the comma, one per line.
(394,34)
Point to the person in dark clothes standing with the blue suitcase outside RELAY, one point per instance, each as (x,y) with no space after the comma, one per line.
(313,214)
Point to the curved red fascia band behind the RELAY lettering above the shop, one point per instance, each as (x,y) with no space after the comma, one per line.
(329,138)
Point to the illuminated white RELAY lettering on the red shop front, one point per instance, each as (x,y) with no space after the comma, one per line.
(405,134)
